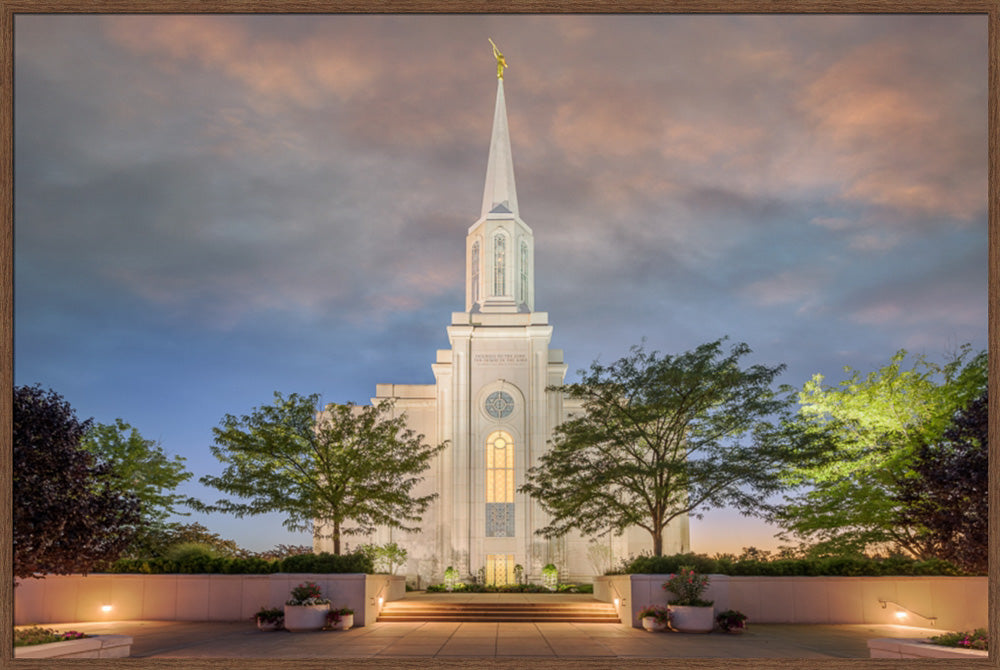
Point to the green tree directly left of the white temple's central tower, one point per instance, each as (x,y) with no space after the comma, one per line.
(352,464)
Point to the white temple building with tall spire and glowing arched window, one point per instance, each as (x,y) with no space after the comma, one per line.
(490,404)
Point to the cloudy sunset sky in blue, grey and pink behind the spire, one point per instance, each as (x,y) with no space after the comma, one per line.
(213,208)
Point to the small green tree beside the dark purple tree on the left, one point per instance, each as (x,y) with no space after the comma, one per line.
(140,466)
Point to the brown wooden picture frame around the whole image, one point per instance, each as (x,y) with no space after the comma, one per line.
(8,8)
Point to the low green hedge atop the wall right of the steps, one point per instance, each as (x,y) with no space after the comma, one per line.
(834,566)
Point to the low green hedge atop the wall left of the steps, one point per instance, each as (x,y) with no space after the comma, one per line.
(302,563)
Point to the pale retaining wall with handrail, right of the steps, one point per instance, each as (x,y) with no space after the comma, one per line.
(958,603)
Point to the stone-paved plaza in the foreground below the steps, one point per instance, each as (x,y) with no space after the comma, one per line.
(173,639)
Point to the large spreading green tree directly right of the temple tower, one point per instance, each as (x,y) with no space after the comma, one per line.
(662,437)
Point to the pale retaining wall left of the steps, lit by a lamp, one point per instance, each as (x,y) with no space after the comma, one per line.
(72,598)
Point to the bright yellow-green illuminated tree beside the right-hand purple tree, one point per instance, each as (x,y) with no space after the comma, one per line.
(847,503)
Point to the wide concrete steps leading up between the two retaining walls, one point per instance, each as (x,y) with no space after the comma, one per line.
(488,611)
